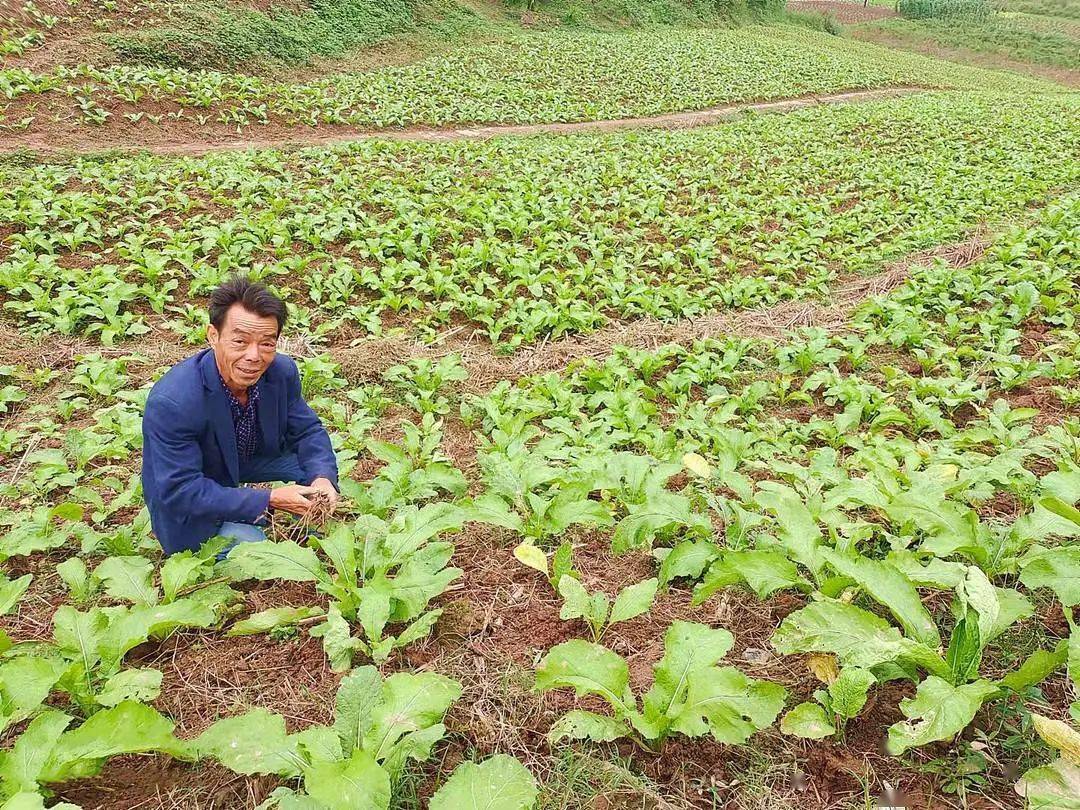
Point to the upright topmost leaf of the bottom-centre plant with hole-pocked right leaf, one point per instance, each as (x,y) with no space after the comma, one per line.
(688,647)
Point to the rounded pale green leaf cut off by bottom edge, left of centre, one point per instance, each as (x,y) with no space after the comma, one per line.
(498,784)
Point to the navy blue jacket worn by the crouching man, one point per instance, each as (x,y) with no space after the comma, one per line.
(191,466)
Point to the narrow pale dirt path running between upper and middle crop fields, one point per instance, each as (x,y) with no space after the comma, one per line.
(173,141)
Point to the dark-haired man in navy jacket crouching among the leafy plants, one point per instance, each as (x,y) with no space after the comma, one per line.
(233,414)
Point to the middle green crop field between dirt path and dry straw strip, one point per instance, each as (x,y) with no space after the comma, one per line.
(528,239)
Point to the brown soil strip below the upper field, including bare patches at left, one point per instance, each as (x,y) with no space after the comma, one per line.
(187,137)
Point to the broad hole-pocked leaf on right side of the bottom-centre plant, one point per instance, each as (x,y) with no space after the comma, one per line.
(724,703)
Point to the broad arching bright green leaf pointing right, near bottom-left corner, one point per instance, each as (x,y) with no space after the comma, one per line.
(127,728)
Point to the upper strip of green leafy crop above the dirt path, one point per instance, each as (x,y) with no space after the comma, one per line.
(558,76)
